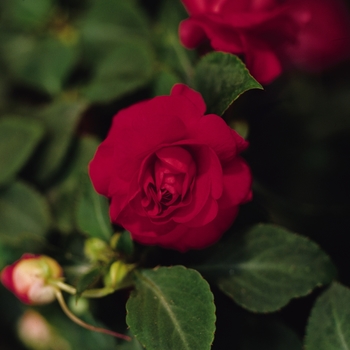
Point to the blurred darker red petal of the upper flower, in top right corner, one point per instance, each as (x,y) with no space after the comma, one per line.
(323,37)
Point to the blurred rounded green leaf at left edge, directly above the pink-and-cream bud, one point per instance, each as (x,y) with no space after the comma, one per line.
(24,214)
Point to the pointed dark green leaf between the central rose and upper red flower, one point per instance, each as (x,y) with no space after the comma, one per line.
(221,78)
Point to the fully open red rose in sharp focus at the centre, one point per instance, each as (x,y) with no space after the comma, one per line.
(173,175)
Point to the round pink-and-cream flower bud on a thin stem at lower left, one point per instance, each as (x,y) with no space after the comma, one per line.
(28,278)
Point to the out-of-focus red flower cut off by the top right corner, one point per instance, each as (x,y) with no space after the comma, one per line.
(271,34)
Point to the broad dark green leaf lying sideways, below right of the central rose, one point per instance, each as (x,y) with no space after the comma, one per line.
(267,266)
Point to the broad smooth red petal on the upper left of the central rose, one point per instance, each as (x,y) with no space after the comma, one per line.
(144,127)
